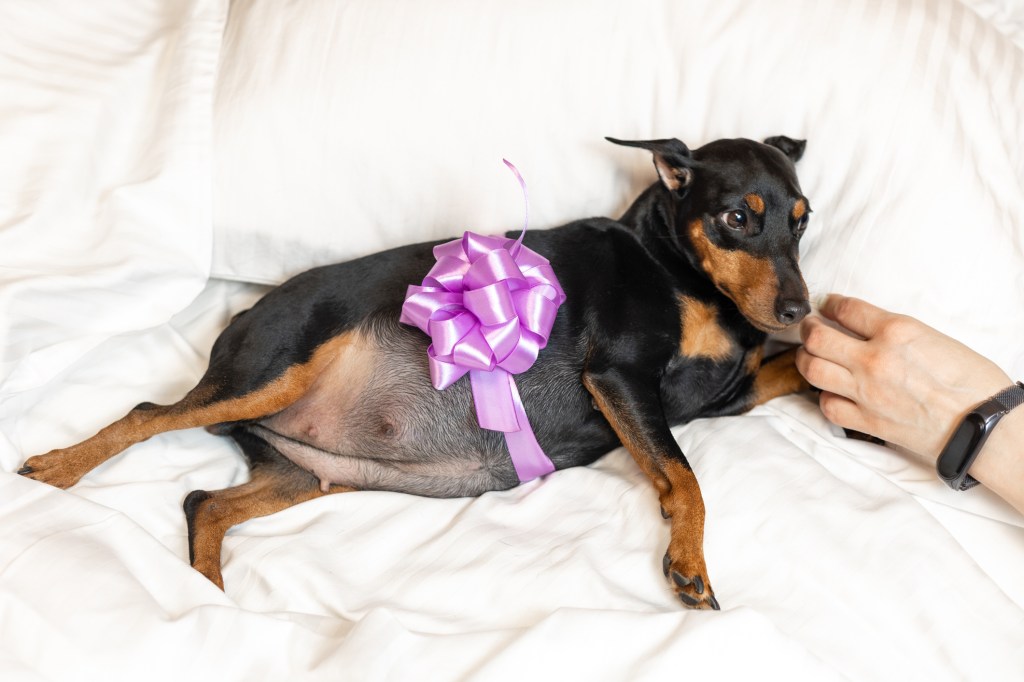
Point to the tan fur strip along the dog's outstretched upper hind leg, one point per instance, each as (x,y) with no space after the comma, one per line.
(65,467)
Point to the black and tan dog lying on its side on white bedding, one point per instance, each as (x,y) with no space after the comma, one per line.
(665,321)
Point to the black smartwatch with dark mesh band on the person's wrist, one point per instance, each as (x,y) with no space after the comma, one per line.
(967,441)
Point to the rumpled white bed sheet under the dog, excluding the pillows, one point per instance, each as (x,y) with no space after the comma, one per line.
(832,559)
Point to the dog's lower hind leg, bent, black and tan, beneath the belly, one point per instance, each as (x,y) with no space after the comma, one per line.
(276,485)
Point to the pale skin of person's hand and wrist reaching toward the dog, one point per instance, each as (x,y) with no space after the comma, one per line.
(911,387)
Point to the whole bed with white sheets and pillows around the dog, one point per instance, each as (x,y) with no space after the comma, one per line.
(164,162)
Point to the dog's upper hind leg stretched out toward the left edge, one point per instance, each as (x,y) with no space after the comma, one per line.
(236,388)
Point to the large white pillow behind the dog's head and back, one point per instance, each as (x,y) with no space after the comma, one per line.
(346,129)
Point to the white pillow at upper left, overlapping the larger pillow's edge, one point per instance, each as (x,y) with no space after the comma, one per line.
(105,175)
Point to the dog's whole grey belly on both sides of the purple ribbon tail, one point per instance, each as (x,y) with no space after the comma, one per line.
(373,421)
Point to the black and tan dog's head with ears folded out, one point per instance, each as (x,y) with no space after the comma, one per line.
(739,216)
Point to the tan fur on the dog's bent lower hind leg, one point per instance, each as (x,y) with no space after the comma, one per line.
(214,514)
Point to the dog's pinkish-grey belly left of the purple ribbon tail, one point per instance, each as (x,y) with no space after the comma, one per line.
(373,421)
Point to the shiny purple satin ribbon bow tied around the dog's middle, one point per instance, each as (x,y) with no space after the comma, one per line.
(489,305)
